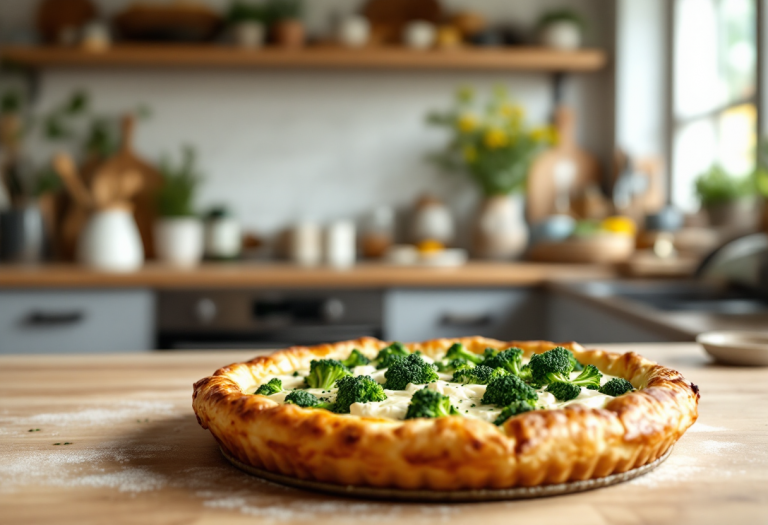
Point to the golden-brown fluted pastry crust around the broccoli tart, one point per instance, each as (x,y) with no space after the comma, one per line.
(452,453)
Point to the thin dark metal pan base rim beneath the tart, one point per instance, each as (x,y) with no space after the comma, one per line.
(446,496)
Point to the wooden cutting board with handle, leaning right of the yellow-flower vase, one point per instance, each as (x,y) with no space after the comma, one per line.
(542,190)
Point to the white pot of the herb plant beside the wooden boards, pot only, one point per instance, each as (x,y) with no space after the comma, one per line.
(179,241)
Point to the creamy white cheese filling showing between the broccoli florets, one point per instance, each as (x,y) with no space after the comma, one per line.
(465,398)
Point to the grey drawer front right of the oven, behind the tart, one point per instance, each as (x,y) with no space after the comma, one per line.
(418,315)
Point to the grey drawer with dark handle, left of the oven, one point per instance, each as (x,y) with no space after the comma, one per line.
(62,321)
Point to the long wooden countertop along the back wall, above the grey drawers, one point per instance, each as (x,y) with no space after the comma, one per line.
(286,275)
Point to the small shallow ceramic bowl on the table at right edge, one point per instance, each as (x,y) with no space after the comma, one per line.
(736,348)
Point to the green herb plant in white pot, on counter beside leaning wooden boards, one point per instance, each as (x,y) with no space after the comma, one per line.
(179,232)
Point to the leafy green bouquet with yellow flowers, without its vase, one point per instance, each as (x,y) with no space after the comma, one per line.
(490,141)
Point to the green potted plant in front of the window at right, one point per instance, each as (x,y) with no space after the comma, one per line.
(727,199)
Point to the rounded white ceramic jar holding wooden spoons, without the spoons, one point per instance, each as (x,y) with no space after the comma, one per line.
(111,242)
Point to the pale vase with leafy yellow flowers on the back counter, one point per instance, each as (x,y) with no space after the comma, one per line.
(491,143)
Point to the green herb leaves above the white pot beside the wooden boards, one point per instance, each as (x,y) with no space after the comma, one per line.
(180,183)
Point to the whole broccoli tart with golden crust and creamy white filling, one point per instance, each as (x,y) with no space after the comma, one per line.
(447,414)
